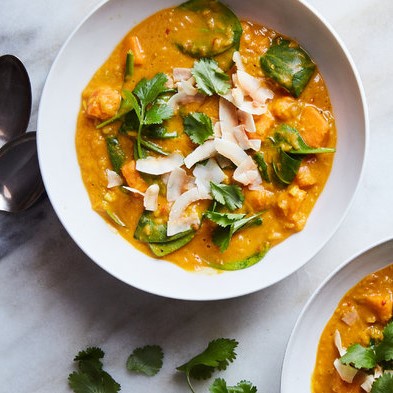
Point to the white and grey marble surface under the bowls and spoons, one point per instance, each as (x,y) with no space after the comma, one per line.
(54,301)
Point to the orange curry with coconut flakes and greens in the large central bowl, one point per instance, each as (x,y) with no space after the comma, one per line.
(251,126)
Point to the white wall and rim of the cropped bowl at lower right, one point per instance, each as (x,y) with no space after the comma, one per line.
(300,356)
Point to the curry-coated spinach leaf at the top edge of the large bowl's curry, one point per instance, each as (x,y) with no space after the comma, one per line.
(217,29)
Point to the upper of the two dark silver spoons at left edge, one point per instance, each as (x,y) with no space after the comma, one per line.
(15,98)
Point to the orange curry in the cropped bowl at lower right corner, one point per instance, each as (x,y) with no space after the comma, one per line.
(360,318)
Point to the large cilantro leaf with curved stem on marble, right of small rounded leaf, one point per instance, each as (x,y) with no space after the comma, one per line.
(218,354)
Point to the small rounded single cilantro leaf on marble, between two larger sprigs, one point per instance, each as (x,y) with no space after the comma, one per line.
(146,360)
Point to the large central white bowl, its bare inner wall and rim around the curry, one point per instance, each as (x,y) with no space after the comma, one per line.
(86,50)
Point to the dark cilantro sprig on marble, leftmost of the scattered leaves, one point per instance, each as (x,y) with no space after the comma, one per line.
(90,377)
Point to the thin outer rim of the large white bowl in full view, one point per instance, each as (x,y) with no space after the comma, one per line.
(209,295)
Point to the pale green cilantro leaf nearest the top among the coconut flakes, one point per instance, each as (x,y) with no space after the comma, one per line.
(210,78)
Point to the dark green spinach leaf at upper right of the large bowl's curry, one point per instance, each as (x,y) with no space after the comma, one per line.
(290,66)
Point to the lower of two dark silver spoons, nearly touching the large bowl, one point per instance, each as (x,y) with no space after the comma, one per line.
(20,178)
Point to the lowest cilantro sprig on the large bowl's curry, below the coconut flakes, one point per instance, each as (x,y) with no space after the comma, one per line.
(223,234)
